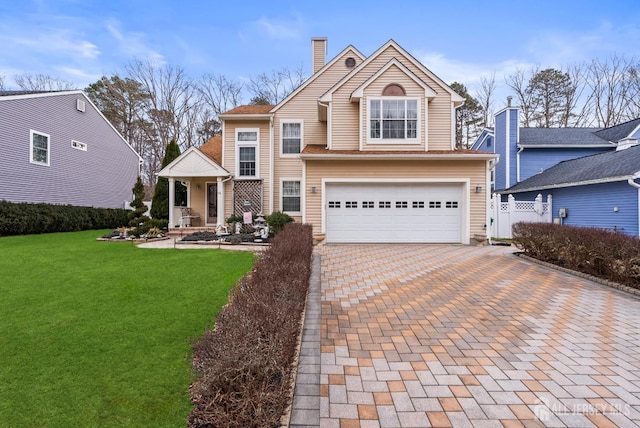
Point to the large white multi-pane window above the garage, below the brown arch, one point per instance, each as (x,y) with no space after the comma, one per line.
(393,120)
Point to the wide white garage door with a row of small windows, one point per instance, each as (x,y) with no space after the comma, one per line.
(394,212)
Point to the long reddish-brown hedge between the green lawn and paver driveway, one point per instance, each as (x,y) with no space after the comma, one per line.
(246,362)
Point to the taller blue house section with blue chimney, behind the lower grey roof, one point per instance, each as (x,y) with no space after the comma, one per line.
(525,152)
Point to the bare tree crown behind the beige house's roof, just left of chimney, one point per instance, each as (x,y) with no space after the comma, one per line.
(274,87)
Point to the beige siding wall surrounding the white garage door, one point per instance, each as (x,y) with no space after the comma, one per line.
(394,170)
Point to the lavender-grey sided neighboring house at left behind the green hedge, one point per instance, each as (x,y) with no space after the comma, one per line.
(58,148)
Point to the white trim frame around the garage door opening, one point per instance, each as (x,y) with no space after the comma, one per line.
(465,234)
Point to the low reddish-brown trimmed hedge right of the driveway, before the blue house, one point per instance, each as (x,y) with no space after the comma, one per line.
(602,253)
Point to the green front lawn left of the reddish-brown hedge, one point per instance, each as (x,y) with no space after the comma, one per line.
(100,333)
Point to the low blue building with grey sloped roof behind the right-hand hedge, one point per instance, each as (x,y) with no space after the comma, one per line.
(596,191)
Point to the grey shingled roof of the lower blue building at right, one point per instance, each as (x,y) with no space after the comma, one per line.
(601,168)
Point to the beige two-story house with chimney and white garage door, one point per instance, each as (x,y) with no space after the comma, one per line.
(364,150)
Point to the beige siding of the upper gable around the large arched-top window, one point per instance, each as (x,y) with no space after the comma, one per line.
(345,114)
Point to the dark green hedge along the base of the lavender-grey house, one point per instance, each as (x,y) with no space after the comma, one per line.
(29,219)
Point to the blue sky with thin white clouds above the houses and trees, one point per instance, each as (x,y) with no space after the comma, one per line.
(81,40)
